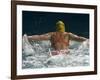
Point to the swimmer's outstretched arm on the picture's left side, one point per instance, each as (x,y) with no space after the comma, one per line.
(40,37)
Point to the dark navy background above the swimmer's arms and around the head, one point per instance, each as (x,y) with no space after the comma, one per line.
(44,22)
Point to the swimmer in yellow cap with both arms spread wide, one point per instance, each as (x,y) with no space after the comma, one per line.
(59,39)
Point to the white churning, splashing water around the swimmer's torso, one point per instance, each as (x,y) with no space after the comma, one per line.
(36,54)
